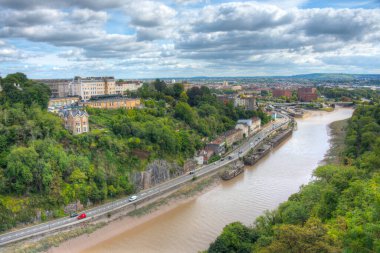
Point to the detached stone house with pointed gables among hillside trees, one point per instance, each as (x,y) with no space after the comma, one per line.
(76,121)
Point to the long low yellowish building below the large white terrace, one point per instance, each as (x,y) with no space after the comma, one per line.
(112,102)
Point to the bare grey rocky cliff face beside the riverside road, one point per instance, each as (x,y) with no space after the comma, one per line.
(156,172)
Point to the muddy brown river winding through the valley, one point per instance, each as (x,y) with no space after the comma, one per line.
(192,226)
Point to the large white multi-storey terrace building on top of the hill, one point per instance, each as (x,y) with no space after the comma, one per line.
(92,86)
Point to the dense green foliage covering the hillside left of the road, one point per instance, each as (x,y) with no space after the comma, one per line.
(44,168)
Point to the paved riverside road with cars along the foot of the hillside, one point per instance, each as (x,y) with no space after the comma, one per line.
(141,196)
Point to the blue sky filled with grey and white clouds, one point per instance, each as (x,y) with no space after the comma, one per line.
(187,38)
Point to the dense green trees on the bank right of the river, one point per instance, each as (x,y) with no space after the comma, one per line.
(338,212)
